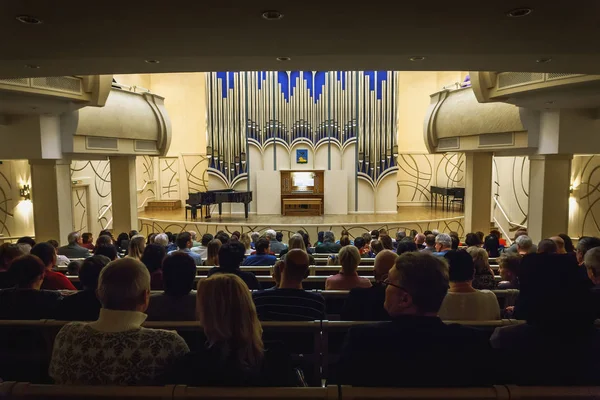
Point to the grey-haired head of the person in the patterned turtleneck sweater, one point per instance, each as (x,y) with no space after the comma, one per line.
(124,285)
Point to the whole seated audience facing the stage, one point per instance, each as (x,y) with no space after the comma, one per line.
(420,281)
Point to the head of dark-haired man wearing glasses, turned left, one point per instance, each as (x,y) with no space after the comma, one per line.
(417,285)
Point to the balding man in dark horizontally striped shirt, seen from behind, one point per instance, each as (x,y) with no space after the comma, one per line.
(289,301)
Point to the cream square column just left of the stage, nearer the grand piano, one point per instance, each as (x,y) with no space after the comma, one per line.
(124,193)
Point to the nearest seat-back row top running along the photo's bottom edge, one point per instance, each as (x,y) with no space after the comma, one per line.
(24,390)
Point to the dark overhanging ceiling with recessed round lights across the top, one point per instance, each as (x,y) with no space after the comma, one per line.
(110,36)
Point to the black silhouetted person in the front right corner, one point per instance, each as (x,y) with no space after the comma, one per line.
(559,344)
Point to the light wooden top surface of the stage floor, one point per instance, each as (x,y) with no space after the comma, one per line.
(404,214)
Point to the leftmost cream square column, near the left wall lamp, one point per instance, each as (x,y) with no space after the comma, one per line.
(51,197)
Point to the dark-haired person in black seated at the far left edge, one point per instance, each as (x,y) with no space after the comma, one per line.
(25,301)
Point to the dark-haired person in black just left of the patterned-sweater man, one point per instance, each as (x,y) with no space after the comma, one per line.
(84,305)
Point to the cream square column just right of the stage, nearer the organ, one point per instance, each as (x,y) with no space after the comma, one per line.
(478,192)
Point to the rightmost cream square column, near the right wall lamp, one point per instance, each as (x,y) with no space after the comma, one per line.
(549,183)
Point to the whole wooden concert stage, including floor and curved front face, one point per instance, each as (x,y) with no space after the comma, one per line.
(417,217)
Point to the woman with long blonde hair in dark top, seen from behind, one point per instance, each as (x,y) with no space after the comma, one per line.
(233,354)
